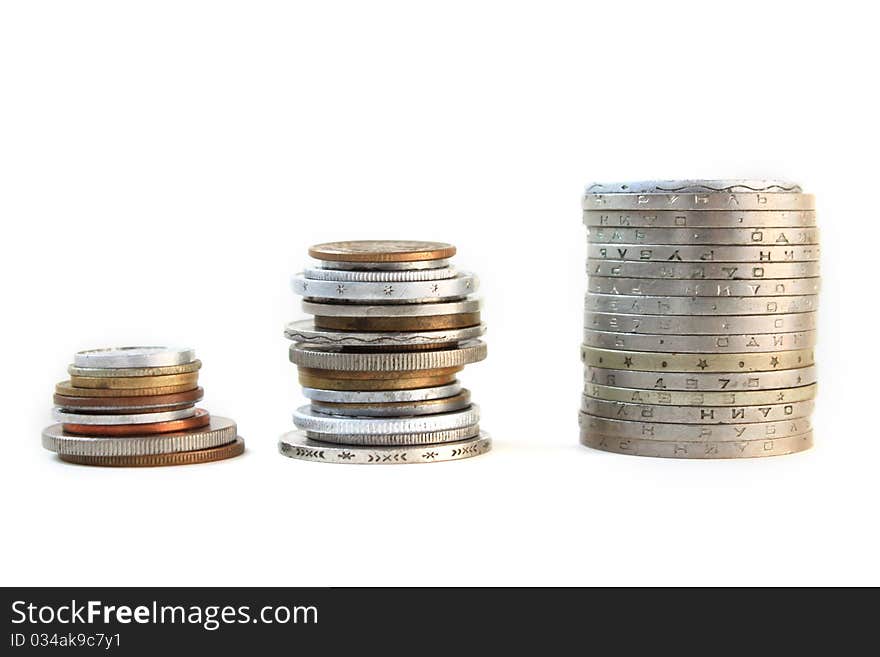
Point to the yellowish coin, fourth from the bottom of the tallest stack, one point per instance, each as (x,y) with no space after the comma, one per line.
(700,398)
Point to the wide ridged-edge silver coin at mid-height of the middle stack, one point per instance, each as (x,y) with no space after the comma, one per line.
(328,358)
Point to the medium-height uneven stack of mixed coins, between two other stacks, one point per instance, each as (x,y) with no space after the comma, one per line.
(393,325)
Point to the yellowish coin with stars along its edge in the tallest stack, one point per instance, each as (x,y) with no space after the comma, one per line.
(662,362)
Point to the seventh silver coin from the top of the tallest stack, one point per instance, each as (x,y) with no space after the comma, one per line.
(680,288)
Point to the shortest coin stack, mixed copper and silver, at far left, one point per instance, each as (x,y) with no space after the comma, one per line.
(135,406)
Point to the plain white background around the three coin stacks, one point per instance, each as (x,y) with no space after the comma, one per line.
(164,166)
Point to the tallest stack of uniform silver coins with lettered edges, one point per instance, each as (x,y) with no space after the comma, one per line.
(700,319)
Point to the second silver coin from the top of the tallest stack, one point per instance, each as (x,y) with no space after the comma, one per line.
(700,201)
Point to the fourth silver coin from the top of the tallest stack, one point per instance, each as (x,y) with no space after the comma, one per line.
(707,236)
